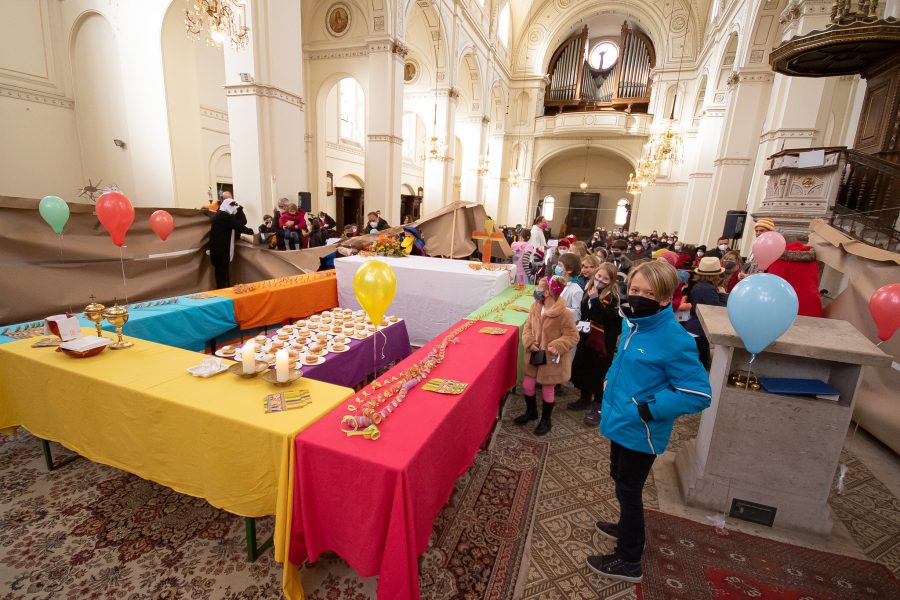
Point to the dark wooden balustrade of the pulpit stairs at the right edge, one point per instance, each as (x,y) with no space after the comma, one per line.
(868,202)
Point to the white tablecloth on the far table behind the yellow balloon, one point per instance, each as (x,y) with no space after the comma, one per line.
(432,293)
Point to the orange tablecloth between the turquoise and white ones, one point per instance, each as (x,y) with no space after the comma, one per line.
(277,300)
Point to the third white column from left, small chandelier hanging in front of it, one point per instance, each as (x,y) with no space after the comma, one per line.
(439,170)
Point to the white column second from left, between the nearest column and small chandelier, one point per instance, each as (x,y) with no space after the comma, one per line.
(384,124)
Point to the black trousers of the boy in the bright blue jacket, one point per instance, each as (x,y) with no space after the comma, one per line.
(629,469)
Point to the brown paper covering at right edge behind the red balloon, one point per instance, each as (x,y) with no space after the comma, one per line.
(868,268)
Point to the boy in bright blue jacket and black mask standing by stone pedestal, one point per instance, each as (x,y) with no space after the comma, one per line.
(655,378)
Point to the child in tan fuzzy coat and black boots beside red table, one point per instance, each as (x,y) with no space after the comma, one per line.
(549,330)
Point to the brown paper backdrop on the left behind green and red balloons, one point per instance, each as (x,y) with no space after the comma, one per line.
(37,279)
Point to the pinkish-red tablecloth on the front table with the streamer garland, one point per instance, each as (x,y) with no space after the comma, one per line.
(374,503)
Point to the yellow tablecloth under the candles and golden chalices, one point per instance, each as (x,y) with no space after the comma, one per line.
(140,411)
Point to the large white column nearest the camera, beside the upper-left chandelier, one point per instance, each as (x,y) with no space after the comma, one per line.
(265,114)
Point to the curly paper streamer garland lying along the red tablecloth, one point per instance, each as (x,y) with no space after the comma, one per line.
(378,408)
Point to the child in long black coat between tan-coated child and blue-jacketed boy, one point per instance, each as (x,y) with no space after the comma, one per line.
(598,334)
